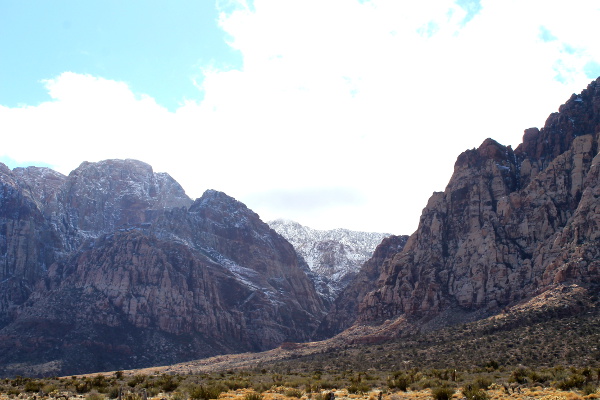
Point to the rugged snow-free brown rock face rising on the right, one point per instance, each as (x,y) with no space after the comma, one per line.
(510,224)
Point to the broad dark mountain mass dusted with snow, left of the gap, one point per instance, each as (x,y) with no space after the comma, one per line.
(115,267)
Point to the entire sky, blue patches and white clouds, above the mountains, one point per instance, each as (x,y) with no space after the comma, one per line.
(332,113)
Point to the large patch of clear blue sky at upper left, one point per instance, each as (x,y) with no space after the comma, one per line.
(155,46)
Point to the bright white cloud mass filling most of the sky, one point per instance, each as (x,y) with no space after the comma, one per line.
(378,96)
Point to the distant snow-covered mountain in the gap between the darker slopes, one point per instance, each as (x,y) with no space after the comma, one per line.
(334,256)
